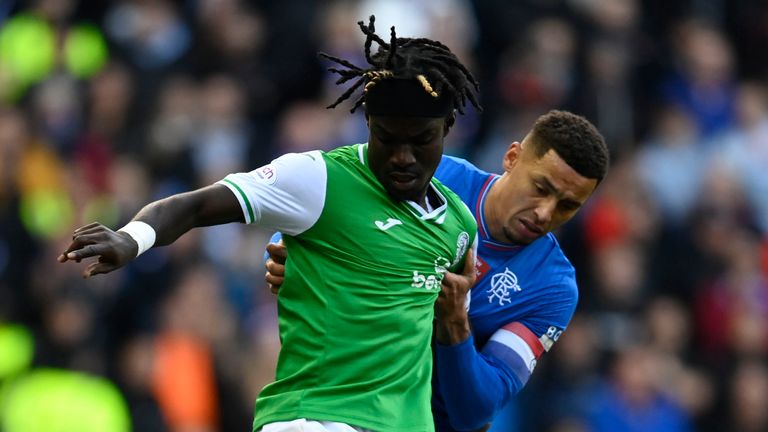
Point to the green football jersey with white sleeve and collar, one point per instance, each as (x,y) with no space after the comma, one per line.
(356,308)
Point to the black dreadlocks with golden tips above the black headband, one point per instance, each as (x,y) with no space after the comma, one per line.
(426,60)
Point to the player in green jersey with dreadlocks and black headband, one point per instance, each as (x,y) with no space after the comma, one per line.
(372,233)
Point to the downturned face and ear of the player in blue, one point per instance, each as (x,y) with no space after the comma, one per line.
(535,195)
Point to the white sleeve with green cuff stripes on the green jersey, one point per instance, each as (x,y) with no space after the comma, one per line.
(287,195)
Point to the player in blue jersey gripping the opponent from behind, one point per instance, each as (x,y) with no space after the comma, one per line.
(525,293)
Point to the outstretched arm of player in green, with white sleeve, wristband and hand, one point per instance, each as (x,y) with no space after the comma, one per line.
(286,195)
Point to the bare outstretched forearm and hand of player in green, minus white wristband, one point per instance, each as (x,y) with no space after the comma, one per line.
(170,217)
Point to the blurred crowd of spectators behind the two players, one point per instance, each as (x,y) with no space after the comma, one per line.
(105,106)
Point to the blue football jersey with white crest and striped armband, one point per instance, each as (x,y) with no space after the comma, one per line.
(523,300)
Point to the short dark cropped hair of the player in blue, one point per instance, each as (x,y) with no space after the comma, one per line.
(575,140)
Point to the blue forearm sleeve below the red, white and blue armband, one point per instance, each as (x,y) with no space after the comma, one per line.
(474,386)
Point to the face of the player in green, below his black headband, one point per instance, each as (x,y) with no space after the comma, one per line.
(403,153)
